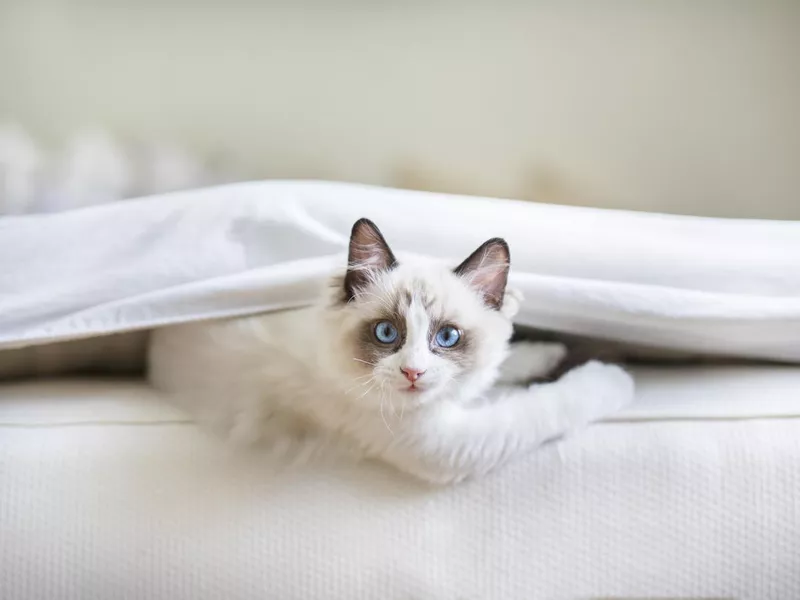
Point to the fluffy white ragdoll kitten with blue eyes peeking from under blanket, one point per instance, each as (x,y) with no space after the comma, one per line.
(407,362)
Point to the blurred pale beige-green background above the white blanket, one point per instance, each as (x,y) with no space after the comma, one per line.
(672,106)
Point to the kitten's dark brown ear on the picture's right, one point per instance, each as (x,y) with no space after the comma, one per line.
(486,270)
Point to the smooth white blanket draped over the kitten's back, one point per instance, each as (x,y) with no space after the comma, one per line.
(682,283)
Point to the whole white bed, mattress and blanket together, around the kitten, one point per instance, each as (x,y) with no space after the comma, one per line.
(108,491)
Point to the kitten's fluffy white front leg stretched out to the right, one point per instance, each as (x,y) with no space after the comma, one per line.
(454,442)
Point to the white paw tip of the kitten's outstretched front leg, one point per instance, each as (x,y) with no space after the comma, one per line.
(597,390)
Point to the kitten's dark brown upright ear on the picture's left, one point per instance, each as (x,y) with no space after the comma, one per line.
(369,253)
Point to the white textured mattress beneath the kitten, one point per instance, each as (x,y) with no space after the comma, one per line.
(107,492)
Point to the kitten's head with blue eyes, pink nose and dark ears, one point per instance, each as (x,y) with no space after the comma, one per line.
(417,330)
